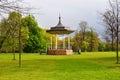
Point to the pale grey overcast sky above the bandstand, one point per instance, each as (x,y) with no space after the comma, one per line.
(72,12)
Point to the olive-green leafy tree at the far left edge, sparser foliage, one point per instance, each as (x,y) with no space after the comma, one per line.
(9,30)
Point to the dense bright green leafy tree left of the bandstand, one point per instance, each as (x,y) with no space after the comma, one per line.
(35,42)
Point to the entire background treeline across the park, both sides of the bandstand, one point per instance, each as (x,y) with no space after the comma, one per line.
(34,39)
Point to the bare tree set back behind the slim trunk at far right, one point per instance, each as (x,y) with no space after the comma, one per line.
(109,21)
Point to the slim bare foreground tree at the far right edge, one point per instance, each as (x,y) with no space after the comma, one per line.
(114,14)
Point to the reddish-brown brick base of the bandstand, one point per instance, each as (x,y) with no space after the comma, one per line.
(59,52)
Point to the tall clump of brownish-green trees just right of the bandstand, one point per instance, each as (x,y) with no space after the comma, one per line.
(86,39)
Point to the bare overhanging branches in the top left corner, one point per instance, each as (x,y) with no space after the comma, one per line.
(7,6)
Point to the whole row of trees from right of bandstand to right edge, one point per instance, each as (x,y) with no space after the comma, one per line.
(87,39)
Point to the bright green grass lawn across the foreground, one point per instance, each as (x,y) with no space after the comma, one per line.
(87,66)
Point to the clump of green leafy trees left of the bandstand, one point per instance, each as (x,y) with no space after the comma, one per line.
(33,38)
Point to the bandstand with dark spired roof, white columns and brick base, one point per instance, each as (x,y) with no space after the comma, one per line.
(60,29)
